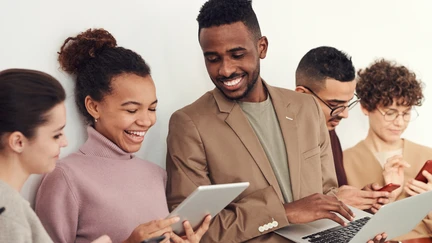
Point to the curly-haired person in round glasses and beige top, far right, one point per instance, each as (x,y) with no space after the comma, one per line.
(389,94)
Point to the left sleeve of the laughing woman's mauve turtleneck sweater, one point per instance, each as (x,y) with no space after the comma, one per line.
(57,206)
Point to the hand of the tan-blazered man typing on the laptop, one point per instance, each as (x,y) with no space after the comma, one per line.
(317,206)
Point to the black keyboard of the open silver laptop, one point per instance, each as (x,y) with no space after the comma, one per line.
(338,234)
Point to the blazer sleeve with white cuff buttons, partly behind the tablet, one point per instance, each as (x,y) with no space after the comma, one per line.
(187,169)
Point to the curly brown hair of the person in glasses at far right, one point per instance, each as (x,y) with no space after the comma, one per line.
(384,82)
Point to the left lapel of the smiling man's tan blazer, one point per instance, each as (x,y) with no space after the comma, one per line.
(239,123)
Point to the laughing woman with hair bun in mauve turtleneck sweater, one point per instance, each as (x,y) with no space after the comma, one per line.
(103,187)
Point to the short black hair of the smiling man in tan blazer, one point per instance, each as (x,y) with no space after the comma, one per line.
(221,12)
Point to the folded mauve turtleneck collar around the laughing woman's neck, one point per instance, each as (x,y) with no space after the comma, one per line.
(98,145)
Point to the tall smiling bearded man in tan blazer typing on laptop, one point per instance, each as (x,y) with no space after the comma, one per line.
(247,130)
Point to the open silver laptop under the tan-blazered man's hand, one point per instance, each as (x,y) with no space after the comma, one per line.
(394,219)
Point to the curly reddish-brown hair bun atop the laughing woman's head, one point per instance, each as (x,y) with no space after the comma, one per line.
(77,51)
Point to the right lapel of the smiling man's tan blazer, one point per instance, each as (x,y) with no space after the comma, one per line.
(288,125)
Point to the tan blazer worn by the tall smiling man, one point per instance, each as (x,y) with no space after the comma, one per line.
(212,142)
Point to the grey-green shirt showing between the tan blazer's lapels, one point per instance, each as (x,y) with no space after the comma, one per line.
(263,120)
